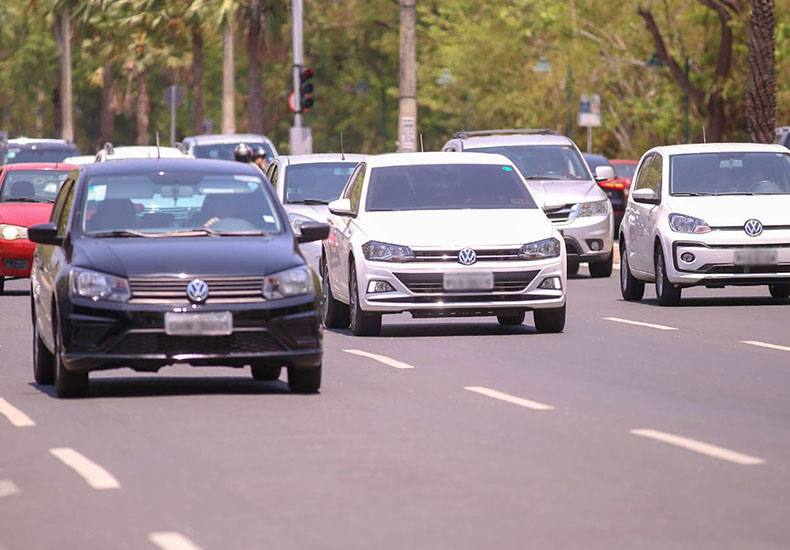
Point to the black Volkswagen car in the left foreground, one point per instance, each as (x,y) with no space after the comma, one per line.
(147,263)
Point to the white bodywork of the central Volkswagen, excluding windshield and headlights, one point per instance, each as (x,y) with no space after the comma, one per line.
(438,239)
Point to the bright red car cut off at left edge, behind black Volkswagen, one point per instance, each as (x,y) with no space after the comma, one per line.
(27,192)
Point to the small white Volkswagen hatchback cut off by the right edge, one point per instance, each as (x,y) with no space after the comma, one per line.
(707,215)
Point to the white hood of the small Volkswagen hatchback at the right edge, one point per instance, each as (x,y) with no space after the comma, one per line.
(734,210)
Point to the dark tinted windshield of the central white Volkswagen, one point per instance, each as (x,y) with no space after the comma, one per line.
(446,187)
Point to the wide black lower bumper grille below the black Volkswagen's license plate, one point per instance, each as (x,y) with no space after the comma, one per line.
(154,343)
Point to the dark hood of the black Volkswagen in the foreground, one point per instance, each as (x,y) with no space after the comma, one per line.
(195,256)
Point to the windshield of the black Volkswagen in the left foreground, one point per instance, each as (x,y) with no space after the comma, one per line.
(159,203)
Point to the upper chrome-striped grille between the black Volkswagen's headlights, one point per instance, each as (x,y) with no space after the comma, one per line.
(173,290)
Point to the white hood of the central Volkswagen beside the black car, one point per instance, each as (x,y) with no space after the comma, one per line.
(457,228)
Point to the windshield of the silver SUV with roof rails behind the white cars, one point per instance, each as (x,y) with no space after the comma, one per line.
(544,162)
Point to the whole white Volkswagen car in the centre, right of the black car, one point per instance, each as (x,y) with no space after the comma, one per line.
(440,235)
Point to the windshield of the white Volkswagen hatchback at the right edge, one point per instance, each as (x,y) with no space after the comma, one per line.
(730,174)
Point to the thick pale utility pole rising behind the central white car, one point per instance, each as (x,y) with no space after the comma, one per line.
(407,116)
